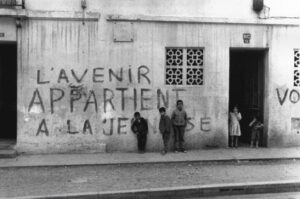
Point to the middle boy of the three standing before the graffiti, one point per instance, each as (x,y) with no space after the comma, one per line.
(164,128)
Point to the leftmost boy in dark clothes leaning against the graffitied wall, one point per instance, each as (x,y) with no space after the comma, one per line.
(139,127)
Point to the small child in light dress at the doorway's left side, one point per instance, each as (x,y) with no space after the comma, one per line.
(234,126)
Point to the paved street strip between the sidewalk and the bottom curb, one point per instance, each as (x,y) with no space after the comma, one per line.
(34,181)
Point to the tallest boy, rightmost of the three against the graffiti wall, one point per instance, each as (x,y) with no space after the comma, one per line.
(179,121)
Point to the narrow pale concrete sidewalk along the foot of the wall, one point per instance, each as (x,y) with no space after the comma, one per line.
(208,155)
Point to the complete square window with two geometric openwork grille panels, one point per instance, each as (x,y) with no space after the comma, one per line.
(184,66)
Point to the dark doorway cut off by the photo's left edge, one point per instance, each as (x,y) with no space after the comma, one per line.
(8,91)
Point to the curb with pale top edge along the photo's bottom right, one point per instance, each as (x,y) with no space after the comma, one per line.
(187,191)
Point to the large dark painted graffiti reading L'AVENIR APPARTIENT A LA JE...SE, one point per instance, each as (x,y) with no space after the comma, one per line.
(120,98)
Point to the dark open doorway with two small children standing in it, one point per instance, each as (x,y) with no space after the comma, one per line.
(247,85)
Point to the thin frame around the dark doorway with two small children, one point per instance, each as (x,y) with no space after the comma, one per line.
(266,90)
